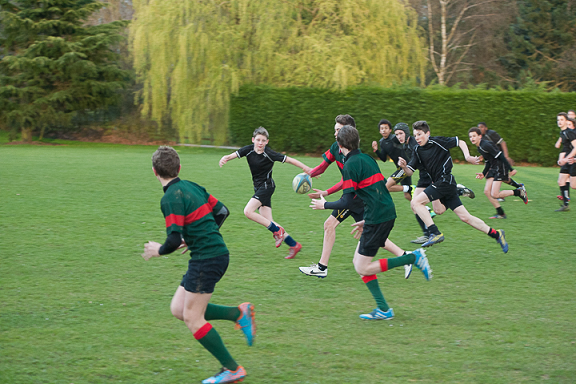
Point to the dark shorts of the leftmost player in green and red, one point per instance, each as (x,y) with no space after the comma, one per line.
(202,275)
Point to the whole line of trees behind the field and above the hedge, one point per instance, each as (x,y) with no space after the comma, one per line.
(178,63)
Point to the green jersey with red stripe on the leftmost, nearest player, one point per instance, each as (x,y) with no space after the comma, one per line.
(187,208)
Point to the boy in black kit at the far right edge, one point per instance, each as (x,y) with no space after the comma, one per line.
(567,174)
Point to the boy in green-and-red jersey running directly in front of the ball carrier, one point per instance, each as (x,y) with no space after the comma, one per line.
(362,178)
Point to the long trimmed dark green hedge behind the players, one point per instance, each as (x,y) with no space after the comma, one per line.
(301,120)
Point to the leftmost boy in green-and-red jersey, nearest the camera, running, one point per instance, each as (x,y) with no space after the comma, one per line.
(193,218)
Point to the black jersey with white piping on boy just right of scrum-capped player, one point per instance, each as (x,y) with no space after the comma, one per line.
(434,157)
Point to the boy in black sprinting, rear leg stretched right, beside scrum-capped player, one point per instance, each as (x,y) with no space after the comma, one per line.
(433,155)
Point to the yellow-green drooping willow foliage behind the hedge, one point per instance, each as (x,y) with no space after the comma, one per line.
(190,55)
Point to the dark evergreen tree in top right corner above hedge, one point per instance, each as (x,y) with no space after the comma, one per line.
(540,40)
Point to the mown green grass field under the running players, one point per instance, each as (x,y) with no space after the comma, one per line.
(79,304)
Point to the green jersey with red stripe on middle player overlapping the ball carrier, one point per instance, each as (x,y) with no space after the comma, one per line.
(362,175)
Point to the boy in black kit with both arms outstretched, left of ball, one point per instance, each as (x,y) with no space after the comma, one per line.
(261,160)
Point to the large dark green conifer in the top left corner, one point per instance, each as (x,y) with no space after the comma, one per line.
(53,64)
